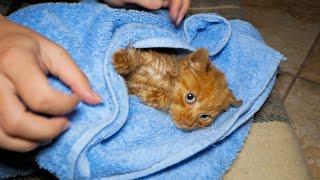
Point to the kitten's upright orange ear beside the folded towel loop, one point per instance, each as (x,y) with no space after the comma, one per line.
(199,60)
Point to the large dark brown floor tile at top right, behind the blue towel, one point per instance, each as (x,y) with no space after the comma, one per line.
(284,33)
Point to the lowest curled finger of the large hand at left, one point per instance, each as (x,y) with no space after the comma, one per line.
(21,130)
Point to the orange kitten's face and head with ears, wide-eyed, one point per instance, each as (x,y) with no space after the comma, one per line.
(200,92)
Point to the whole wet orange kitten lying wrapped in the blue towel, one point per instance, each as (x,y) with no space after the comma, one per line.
(163,81)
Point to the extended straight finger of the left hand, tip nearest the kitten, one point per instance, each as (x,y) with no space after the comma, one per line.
(60,64)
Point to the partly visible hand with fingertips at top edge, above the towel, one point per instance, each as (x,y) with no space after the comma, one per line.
(177,8)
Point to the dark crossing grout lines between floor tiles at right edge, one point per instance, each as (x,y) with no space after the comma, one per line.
(297,75)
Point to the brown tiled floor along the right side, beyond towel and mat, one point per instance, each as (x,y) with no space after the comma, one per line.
(299,79)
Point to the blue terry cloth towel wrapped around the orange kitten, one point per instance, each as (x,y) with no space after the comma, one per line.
(123,138)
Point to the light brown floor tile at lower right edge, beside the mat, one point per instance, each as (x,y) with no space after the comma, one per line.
(303,107)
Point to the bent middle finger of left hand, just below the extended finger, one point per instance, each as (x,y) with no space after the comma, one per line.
(32,85)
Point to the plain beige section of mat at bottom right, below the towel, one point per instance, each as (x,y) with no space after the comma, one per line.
(270,152)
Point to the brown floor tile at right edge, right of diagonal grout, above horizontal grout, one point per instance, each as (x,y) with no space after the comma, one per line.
(311,68)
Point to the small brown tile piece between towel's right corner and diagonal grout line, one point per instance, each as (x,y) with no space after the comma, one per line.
(282,84)
